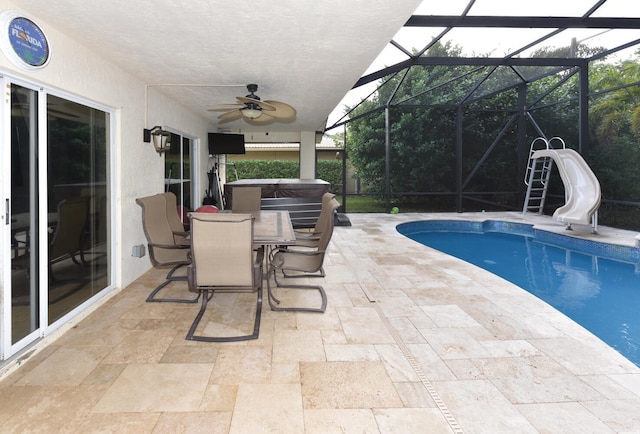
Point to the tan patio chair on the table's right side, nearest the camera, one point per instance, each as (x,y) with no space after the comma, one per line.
(308,261)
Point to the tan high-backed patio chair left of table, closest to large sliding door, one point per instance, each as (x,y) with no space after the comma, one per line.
(165,249)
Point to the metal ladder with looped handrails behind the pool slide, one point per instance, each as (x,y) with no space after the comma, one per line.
(537,176)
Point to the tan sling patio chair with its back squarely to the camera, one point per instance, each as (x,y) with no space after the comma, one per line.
(223,259)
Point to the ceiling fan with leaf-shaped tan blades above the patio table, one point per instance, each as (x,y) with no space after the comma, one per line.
(255,111)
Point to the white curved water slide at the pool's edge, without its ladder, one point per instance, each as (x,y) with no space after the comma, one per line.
(582,189)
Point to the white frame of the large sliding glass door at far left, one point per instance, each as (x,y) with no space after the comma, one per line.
(7,348)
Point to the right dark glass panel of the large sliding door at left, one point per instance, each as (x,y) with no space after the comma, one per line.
(77,179)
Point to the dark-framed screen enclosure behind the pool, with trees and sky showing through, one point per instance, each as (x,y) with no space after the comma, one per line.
(444,118)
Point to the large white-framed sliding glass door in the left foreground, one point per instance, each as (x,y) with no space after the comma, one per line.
(55,181)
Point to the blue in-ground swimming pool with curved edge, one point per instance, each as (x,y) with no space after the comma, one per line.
(595,284)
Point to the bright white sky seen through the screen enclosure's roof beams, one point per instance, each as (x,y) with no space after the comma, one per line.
(498,42)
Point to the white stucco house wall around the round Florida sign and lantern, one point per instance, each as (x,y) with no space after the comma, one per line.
(137,168)
